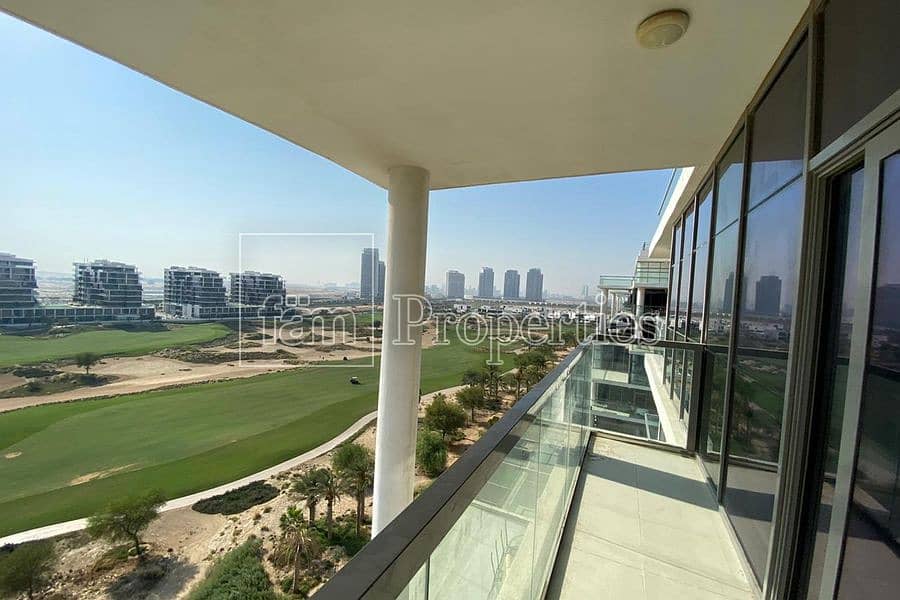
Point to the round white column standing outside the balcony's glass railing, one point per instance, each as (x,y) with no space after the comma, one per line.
(398,387)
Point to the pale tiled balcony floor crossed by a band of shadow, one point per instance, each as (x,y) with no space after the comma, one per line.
(644,524)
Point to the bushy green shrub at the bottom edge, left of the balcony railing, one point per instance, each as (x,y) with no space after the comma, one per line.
(238,575)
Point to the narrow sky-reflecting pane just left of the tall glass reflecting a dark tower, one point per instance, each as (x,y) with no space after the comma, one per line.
(721,289)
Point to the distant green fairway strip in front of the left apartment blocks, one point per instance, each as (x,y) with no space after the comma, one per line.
(22,350)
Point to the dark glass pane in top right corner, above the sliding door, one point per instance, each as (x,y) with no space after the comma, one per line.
(860,58)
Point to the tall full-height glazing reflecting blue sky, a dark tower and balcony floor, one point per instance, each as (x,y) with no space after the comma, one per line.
(764,316)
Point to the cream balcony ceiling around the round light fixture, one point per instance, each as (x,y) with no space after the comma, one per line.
(475,91)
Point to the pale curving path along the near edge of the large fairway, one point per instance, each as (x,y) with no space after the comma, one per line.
(79,524)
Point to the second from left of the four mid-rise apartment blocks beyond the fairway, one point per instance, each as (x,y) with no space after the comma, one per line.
(107,283)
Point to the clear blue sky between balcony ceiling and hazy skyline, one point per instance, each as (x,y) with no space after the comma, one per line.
(98,161)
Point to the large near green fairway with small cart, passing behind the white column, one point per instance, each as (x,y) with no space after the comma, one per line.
(183,440)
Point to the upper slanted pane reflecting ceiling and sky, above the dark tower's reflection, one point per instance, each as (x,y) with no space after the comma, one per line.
(778,131)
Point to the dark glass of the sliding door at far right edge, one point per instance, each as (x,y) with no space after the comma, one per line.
(871,567)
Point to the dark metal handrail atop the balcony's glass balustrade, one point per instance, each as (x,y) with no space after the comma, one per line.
(385,566)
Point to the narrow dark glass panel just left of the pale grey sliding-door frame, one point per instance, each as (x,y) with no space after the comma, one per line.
(838,325)
